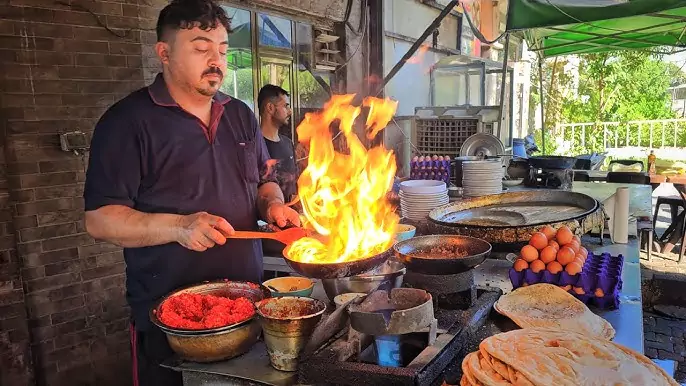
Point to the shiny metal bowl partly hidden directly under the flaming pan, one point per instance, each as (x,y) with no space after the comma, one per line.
(391,271)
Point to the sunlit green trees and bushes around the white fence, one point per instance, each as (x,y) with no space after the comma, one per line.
(612,87)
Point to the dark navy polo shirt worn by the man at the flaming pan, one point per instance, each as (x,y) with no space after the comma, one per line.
(149,154)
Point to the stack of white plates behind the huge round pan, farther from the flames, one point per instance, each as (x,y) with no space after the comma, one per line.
(481,178)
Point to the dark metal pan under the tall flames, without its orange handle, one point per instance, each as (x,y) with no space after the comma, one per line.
(338,270)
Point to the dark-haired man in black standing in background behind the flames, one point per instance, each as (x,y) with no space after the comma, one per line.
(275,112)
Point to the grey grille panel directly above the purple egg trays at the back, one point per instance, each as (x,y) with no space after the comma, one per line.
(444,136)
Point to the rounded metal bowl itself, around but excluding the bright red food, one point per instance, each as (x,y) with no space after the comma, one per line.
(221,343)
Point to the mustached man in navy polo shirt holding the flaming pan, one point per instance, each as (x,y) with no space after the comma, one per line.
(174,168)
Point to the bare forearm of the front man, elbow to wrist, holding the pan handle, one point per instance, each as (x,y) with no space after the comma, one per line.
(129,228)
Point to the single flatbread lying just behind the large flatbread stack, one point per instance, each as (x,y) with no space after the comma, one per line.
(547,305)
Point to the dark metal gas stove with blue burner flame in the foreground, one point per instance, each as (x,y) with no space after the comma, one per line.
(416,353)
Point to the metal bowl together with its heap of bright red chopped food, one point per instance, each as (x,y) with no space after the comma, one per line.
(211,321)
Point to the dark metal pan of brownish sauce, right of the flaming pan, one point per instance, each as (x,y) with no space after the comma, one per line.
(417,256)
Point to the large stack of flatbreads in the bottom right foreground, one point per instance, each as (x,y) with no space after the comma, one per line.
(545,357)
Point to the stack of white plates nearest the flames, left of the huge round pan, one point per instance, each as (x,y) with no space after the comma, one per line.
(419,197)
